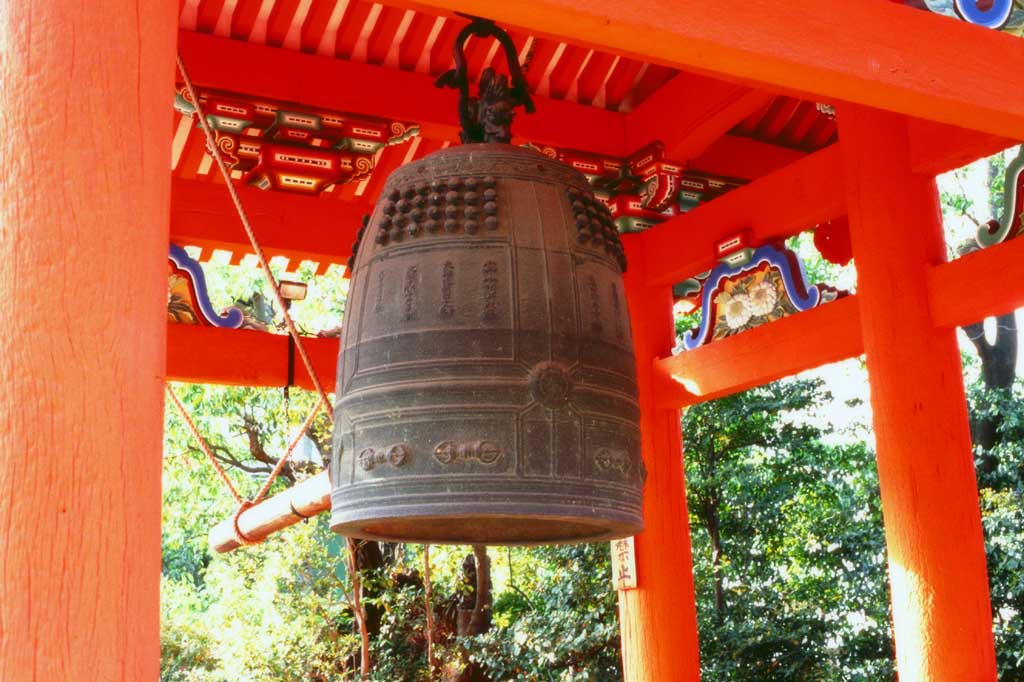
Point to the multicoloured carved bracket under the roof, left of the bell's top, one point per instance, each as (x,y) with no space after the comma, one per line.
(280,148)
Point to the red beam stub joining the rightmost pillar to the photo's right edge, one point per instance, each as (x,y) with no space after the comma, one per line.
(986,283)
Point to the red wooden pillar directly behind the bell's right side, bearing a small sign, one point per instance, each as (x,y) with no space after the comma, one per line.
(658,620)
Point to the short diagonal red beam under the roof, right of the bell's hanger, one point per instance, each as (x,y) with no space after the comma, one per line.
(690,113)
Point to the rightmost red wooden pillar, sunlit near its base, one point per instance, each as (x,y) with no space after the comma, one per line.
(942,611)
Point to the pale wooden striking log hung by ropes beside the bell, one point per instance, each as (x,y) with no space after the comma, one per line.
(298,503)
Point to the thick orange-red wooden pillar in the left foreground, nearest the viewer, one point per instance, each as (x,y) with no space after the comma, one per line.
(87,92)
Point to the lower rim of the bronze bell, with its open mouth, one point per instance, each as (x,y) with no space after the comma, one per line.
(494,525)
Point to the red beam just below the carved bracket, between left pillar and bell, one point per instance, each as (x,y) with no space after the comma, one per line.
(297,227)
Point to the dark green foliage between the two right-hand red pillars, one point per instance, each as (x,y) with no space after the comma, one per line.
(796,525)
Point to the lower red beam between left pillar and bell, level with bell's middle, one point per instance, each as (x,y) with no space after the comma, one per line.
(244,358)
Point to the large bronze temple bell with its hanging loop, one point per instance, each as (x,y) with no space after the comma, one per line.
(487,380)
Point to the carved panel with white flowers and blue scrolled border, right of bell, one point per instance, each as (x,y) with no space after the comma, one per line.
(750,288)
